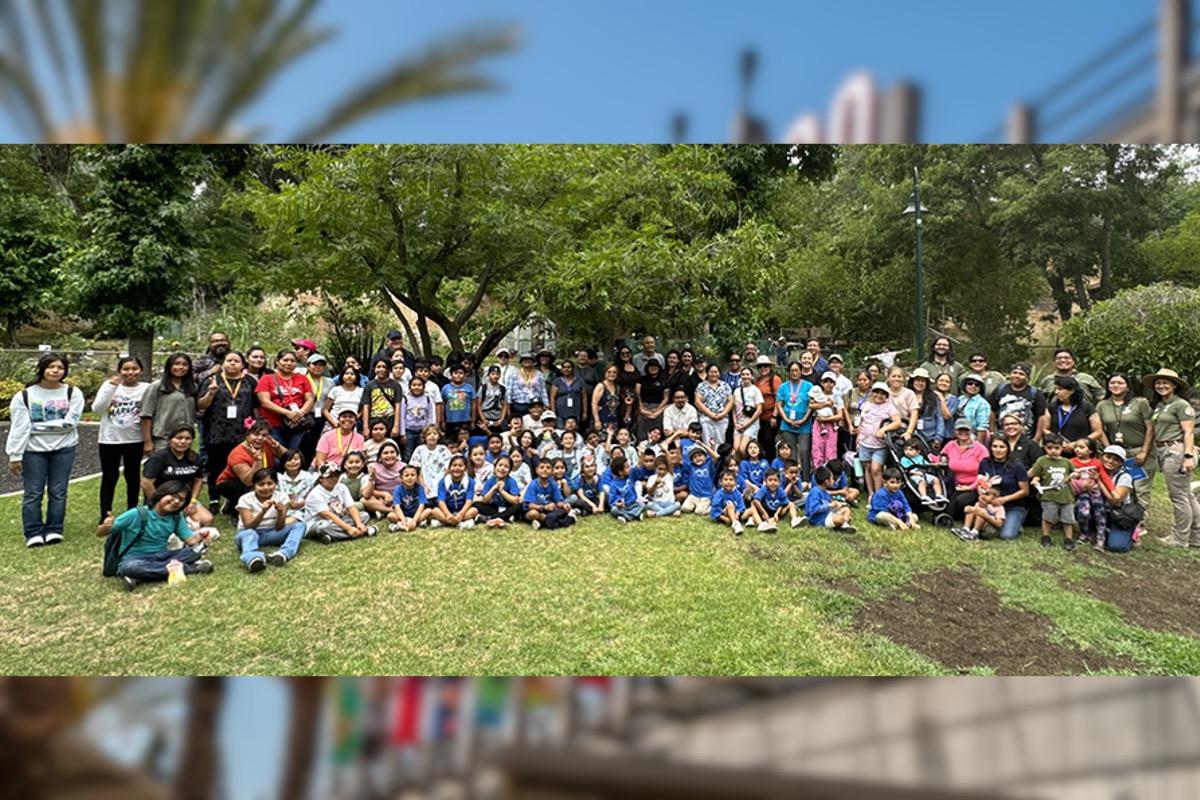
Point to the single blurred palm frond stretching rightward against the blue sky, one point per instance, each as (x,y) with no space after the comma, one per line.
(442,70)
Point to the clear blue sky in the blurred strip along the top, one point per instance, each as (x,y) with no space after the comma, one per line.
(617,71)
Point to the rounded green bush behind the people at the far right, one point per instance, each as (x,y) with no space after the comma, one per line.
(1139,332)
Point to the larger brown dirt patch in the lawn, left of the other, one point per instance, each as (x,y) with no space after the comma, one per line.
(953,618)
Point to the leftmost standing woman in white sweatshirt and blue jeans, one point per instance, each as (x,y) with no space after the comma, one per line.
(41,448)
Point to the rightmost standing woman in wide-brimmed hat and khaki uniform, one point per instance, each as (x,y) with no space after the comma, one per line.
(1174,422)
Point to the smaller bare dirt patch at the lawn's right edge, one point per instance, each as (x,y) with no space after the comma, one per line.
(1156,594)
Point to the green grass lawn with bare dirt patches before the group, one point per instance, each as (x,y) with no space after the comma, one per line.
(675,597)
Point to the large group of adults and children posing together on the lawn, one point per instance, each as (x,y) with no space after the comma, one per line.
(295,449)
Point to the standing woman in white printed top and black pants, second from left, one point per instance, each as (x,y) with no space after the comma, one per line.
(119,405)
